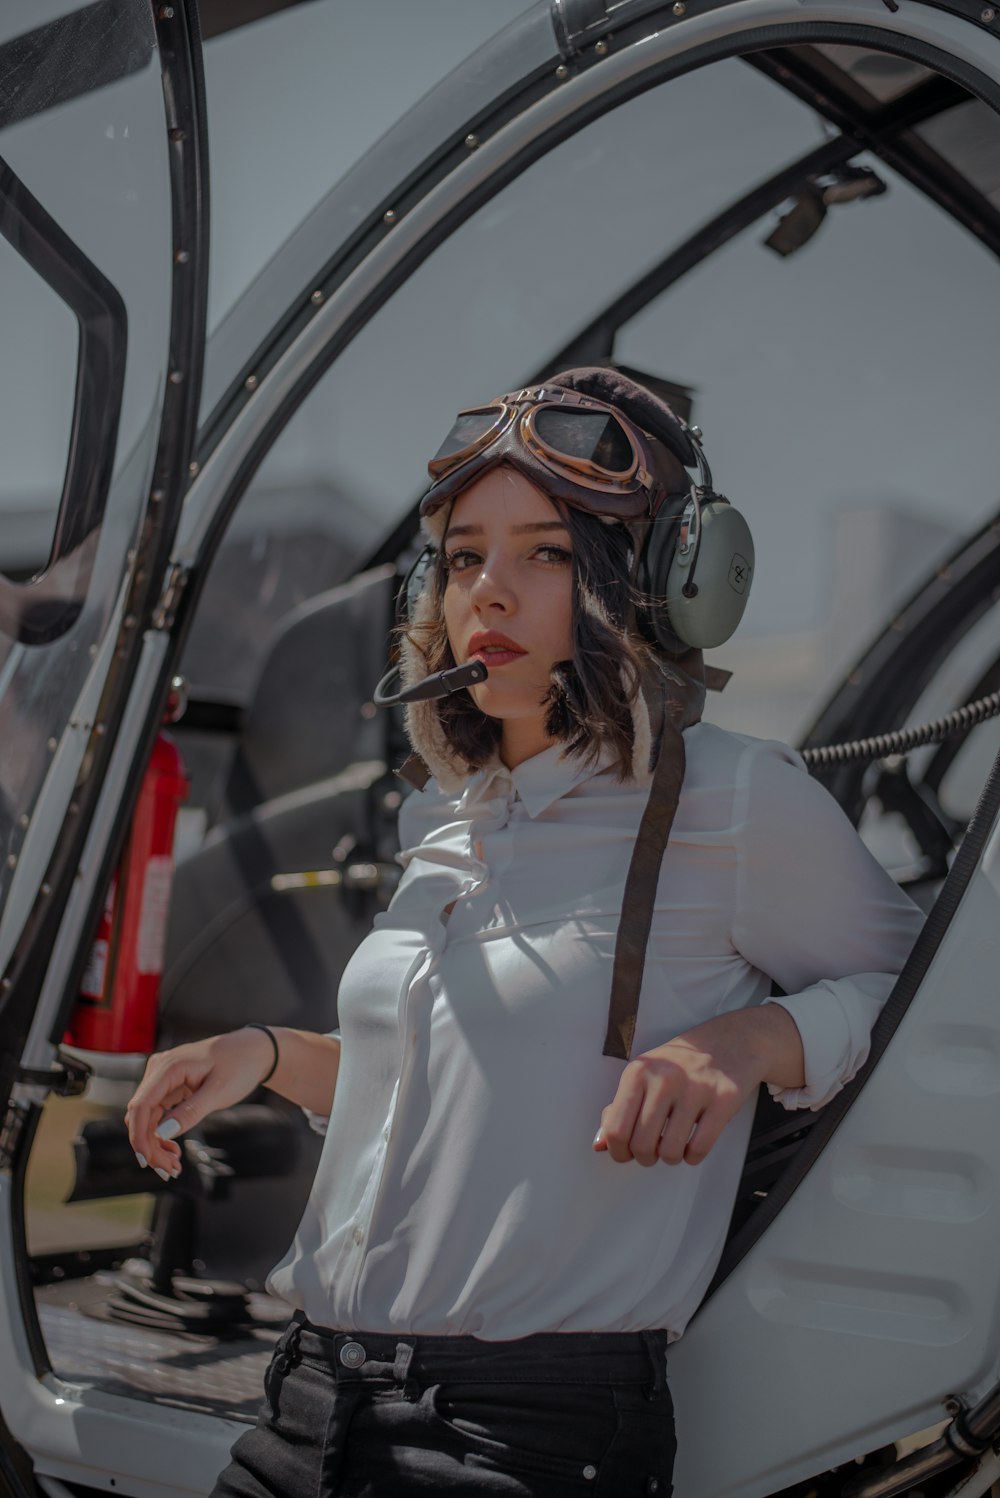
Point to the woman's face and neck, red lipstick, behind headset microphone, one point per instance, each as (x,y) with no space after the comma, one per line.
(510,601)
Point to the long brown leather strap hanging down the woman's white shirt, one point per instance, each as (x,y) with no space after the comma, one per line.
(640,892)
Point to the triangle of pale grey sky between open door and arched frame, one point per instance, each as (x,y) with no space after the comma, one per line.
(314,91)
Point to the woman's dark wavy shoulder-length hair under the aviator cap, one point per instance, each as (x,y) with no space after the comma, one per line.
(591,696)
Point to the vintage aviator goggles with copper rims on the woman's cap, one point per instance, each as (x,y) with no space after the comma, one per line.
(576,447)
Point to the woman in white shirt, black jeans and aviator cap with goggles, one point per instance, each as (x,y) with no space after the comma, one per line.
(484,1289)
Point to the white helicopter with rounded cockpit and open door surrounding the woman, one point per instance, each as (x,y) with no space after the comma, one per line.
(784,215)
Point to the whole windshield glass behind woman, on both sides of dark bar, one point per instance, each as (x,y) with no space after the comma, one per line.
(845,389)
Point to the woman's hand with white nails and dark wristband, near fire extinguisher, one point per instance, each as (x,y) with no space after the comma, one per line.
(185,1085)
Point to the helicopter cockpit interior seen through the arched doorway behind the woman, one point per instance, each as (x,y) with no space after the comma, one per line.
(287,844)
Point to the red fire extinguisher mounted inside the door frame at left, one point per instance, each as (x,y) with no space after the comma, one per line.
(118,1006)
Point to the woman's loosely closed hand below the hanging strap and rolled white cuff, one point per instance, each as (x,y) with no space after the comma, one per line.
(674,1102)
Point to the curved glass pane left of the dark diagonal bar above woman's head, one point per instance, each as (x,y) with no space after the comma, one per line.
(486,314)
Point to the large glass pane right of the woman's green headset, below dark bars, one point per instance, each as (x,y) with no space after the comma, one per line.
(848,399)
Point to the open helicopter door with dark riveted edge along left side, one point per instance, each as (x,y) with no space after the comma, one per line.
(103,284)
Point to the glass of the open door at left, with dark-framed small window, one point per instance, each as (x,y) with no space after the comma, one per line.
(86,290)
